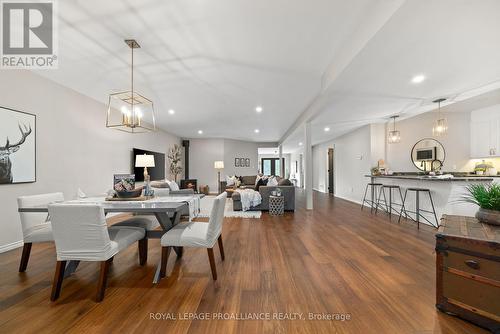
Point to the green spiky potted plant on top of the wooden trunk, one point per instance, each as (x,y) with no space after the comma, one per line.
(487,197)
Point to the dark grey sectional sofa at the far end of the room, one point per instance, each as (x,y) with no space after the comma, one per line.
(248,182)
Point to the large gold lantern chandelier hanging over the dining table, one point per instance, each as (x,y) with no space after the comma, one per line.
(130,111)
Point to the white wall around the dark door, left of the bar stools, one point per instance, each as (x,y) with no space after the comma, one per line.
(352,160)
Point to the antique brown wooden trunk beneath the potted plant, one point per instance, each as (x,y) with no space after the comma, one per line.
(468,270)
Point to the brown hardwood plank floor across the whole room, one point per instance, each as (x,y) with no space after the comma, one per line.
(335,259)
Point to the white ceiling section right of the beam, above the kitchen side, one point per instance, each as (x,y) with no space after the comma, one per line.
(455,44)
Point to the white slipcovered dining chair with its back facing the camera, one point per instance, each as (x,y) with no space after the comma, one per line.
(81,234)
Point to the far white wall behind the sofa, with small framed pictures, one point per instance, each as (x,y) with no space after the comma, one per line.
(204,152)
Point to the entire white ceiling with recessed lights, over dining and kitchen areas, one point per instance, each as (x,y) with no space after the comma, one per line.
(336,63)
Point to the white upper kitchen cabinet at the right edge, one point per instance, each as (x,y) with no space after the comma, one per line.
(485,133)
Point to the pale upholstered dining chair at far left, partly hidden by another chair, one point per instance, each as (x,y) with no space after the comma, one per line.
(36,227)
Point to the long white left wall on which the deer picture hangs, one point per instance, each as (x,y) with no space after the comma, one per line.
(74,148)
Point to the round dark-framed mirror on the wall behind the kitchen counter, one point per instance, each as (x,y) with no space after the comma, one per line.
(428,155)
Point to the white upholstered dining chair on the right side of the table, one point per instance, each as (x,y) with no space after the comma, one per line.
(197,234)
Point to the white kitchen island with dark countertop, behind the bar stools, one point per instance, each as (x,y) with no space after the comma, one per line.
(447,193)
